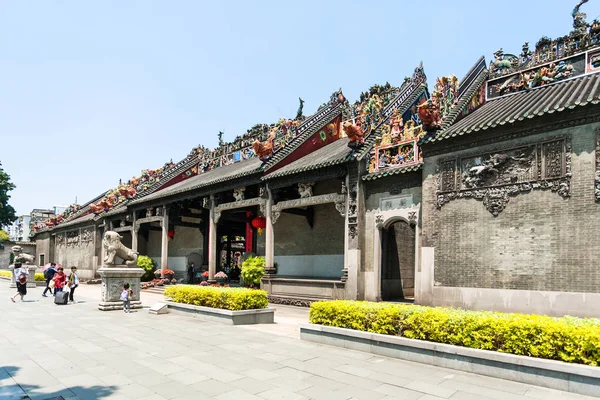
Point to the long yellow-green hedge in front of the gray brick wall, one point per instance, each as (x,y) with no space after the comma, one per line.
(574,340)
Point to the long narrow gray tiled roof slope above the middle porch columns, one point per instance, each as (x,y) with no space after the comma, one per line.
(212,177)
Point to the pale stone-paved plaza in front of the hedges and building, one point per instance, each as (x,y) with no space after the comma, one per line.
(78,352)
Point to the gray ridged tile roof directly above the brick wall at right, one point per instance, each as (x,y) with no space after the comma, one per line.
(528,104)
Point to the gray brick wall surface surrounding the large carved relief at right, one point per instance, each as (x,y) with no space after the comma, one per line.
(539,242)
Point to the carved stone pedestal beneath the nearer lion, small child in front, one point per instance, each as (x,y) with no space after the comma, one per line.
(113,279)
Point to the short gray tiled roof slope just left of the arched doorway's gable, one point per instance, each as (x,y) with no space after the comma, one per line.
(332,154)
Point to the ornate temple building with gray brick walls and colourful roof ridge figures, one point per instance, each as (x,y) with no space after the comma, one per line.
(482,194)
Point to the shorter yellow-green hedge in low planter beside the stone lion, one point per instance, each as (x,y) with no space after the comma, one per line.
(218,297)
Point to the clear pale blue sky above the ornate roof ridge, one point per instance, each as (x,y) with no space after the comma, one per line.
(95,91)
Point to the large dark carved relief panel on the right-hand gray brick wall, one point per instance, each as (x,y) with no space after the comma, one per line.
(495,176)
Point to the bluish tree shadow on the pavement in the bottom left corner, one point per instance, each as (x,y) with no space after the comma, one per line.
(10,390)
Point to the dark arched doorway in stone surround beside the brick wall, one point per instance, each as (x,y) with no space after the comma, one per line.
(398,262)
